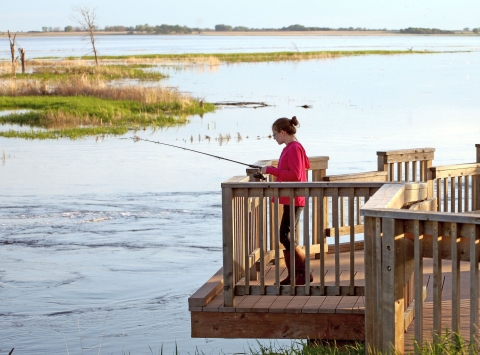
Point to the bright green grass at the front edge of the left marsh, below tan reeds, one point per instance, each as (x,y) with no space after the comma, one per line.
(79,116)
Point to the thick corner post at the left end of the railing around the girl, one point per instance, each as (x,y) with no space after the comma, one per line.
(227,236)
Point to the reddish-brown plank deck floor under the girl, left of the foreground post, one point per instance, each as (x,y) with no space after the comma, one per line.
(278,316)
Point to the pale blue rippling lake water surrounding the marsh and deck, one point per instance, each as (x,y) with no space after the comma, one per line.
(103,240)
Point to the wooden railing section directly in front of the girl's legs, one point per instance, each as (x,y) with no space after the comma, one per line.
(250,234)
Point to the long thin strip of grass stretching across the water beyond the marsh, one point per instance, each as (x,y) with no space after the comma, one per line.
(263,57)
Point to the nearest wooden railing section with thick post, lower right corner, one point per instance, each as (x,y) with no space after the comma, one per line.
(396,241)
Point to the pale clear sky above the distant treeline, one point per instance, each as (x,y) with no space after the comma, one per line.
(32,15)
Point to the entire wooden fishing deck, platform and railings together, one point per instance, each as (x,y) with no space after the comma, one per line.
(408,211)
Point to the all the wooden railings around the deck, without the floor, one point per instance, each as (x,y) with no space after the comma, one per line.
(400,228)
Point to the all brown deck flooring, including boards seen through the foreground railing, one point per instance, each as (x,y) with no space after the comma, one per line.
(311,317)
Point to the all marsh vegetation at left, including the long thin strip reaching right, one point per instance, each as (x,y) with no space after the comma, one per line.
(75,97)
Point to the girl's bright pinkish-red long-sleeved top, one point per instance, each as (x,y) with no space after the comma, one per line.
(292,166)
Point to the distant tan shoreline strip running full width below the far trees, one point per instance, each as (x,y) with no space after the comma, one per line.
(235,33)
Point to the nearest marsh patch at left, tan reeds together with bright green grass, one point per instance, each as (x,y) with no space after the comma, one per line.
(76,108)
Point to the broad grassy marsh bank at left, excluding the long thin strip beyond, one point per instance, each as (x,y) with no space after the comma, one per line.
(74,99)
